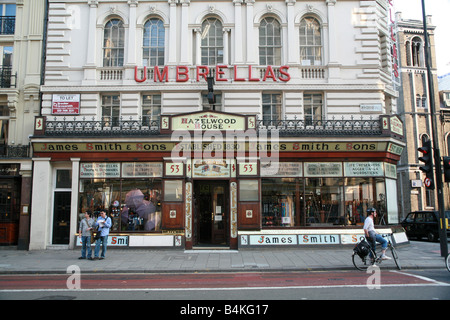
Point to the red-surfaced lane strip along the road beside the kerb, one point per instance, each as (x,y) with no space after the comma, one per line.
(210,280)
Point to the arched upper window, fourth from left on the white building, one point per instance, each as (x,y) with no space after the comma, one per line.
(269,42)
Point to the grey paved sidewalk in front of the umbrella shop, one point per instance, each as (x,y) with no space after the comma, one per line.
(416,255)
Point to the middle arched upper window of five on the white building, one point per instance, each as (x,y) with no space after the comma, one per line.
(212,42)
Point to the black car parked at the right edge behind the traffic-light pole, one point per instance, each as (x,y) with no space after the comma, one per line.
(420,224)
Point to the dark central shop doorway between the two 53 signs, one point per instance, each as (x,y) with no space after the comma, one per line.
(211,214)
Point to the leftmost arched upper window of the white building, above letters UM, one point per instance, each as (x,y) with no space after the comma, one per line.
(113,43)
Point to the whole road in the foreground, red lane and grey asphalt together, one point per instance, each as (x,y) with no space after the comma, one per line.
(199,288)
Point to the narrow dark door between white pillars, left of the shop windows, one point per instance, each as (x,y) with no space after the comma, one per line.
(61,218)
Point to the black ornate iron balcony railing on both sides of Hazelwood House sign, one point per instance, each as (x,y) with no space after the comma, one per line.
(115,126)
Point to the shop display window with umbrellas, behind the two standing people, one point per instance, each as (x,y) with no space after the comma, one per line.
(132,199)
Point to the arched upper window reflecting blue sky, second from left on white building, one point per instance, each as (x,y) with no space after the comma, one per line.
(153,44)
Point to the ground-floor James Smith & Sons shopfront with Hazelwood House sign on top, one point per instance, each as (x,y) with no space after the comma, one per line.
(202,191)
